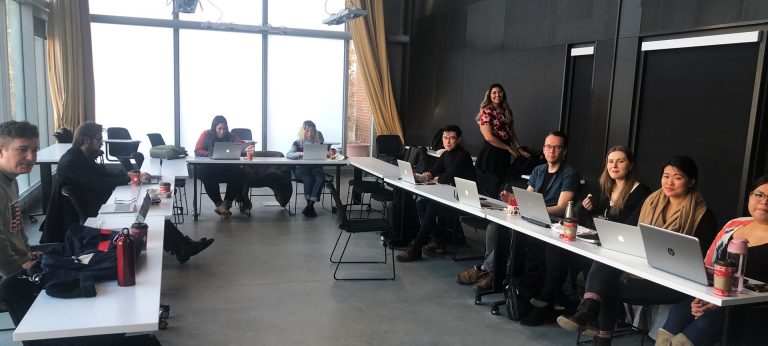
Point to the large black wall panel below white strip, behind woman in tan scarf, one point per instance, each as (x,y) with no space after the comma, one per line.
(696,102)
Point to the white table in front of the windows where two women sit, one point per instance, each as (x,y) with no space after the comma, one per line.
(194,162)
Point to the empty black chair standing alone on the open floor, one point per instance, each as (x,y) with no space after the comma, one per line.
(355,226)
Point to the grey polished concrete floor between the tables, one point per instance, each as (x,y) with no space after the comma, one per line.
(267,281)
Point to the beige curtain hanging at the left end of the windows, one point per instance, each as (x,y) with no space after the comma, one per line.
(70,63)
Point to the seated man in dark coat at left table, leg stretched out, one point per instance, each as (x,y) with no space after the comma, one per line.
(95,184)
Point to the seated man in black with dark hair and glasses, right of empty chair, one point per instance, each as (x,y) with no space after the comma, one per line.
(454,162)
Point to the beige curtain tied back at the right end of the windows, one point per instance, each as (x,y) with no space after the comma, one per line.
(371,47)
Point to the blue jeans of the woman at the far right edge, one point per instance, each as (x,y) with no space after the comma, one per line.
(704,330)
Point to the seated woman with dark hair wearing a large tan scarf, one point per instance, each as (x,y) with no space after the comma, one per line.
(676,206)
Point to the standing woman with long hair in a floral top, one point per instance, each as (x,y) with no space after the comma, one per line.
(501,143)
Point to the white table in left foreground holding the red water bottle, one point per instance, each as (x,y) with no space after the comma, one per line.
(106,313)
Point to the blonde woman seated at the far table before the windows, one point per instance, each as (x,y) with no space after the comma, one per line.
(312,176)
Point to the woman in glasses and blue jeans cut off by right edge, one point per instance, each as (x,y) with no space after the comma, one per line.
(697,322)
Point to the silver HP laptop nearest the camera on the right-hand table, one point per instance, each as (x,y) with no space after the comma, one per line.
(674,253)
